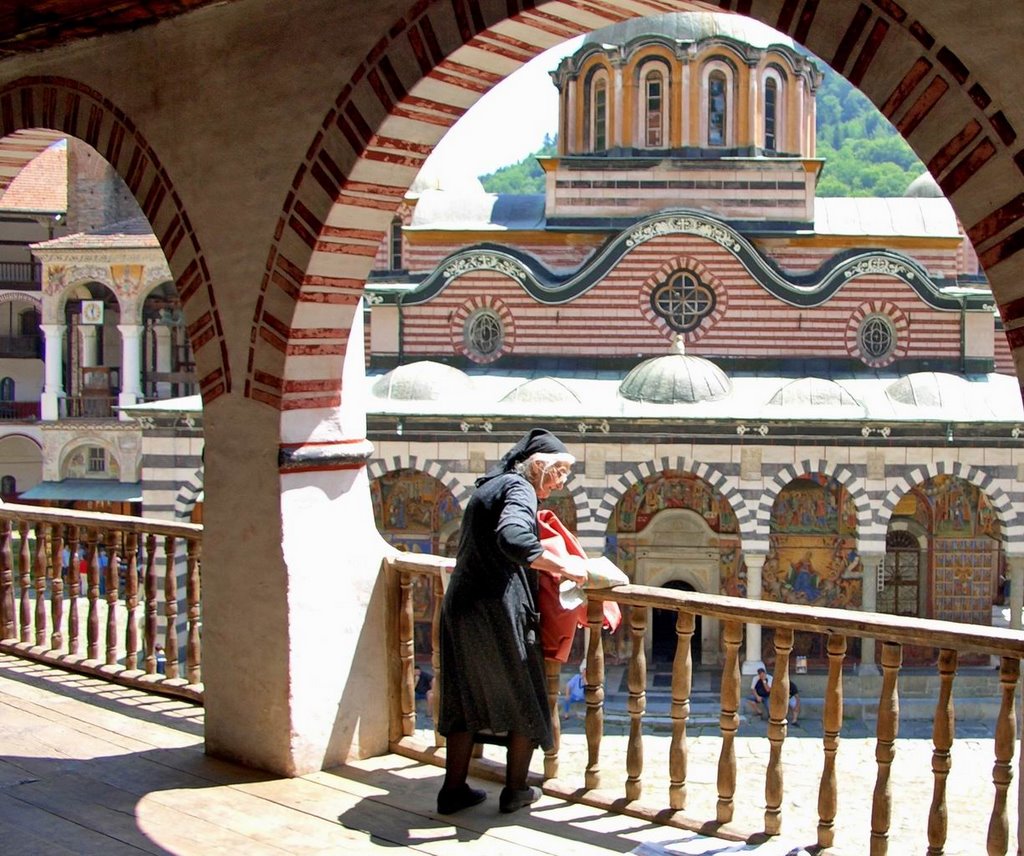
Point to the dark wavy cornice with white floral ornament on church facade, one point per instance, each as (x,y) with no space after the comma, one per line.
(806,290)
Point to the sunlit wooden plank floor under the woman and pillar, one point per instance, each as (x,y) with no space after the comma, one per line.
(91,768)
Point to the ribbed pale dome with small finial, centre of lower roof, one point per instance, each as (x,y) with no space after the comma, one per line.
(677,378)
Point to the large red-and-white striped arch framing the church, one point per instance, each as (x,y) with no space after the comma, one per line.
(443,55)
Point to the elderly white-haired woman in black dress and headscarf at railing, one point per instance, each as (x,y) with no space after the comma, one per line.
(492,678)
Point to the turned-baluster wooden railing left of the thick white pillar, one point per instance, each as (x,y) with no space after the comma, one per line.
(89,592)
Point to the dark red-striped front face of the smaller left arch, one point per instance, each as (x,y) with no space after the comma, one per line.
(69,107)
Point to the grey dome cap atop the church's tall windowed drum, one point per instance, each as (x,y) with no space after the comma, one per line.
(690,27)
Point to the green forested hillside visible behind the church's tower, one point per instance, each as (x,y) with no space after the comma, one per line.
(865,155)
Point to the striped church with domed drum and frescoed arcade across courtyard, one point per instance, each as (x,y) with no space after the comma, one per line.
(771,395)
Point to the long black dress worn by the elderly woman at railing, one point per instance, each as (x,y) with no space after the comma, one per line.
(492,676)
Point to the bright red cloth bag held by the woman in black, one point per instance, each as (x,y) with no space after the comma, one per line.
(559,625)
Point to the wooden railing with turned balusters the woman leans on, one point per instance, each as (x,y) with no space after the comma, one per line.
(837,625)
